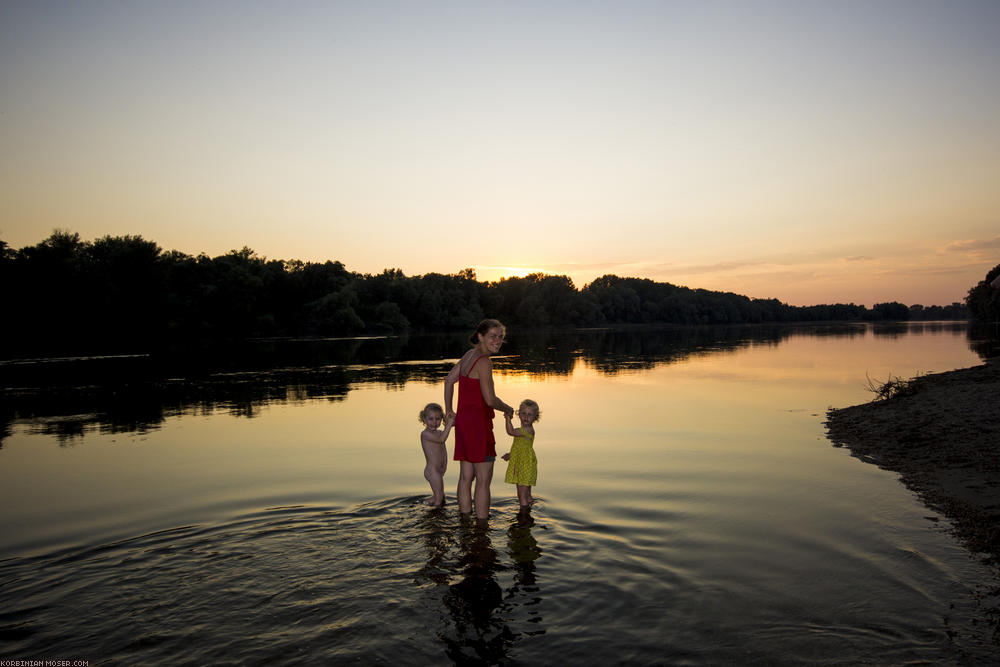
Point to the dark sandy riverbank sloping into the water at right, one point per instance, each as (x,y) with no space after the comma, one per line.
(943,438)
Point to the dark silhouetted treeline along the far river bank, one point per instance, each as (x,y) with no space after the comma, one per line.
(126,293)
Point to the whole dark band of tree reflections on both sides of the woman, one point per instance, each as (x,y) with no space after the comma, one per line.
(66,398)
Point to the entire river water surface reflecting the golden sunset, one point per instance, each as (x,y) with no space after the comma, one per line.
(266,507)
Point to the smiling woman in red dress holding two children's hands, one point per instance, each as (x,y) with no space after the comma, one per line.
(475,446)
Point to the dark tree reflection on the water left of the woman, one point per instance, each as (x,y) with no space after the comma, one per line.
(66,398)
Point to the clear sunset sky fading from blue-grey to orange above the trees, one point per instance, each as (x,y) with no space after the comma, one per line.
(809,151)
